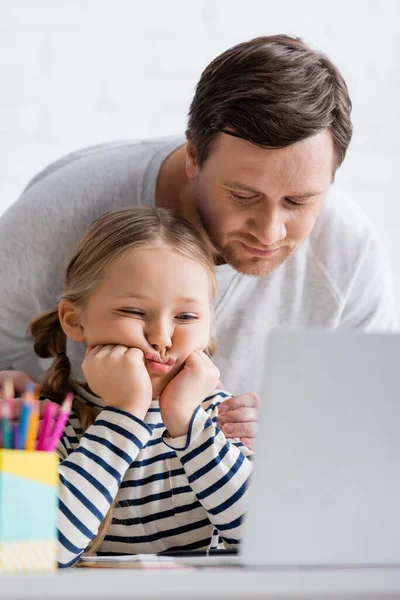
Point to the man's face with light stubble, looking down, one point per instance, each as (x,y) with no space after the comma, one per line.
(258,205)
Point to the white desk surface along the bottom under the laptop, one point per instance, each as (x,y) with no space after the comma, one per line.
(210,584)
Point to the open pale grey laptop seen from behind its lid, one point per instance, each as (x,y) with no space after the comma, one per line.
(325,489)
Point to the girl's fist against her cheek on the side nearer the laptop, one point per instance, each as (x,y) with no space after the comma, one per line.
(186,391)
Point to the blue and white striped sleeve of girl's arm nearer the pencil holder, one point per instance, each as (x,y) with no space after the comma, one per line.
(91,474)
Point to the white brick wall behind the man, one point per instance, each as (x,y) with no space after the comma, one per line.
(80,72)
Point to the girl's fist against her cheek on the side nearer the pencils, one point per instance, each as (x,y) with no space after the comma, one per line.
(118,375)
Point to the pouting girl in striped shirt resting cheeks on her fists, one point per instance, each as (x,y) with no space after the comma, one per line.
(143,467)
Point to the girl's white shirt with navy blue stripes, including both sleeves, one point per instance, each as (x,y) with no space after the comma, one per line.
(178,493)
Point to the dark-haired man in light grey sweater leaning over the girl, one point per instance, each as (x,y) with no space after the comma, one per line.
(268,127)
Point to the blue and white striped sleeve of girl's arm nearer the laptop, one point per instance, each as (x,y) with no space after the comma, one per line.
(218,470)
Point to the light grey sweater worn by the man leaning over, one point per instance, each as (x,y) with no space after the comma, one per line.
(339,278)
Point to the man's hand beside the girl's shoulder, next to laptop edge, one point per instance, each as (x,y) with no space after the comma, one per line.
(237,417)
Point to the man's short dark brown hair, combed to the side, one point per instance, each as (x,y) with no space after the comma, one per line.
(273,91)
